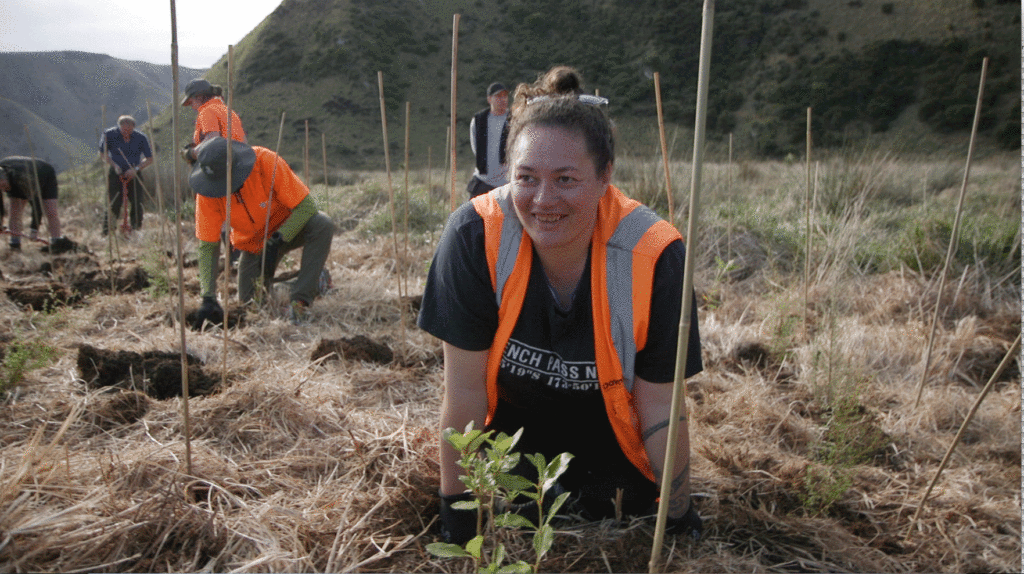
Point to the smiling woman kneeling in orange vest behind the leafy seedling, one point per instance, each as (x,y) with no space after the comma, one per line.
(558,299)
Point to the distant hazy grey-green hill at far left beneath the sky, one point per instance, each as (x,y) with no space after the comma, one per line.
(67,98)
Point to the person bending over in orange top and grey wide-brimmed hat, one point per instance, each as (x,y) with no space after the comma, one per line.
(272,214)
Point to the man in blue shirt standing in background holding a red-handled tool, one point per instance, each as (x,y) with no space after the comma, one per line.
(127,153)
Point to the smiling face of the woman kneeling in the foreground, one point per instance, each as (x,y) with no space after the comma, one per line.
(556,187)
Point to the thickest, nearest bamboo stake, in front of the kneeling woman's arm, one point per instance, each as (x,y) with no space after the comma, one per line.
(678,390)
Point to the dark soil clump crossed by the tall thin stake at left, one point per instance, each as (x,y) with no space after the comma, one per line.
(157,374)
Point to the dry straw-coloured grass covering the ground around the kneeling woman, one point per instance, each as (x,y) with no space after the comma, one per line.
(304,465)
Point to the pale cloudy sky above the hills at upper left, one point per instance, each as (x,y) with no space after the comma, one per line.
(139,31)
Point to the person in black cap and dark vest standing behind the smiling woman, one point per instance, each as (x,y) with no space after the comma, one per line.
(488,131)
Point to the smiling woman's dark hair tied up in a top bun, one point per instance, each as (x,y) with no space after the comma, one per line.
(553,101)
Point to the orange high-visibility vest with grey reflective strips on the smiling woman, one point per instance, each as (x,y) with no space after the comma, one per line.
(628,240)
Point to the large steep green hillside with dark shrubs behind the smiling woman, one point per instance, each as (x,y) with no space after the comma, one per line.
(869,68)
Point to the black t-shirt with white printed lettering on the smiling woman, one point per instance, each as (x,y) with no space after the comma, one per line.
(548,382)
